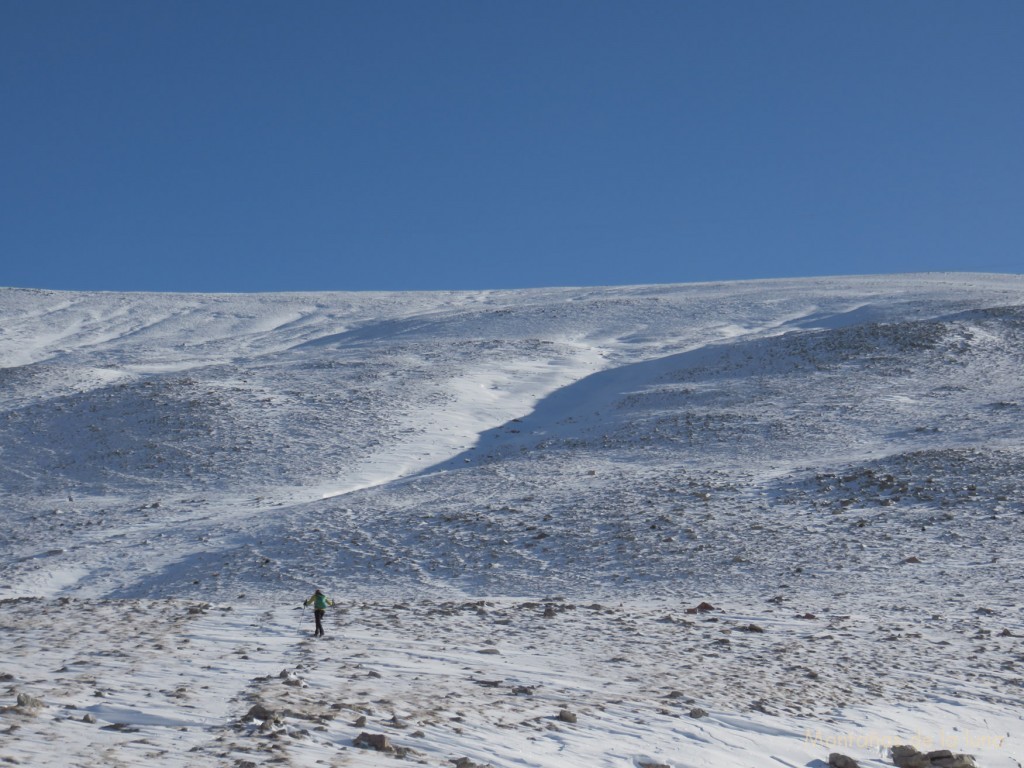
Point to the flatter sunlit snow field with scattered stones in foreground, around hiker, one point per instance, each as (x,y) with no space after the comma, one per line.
(170,684)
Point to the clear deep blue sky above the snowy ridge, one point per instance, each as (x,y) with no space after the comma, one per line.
(252,146)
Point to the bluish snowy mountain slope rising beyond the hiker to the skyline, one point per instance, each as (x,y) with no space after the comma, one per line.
(433,437)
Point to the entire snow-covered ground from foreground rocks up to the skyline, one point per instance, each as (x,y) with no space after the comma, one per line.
(518,500)
